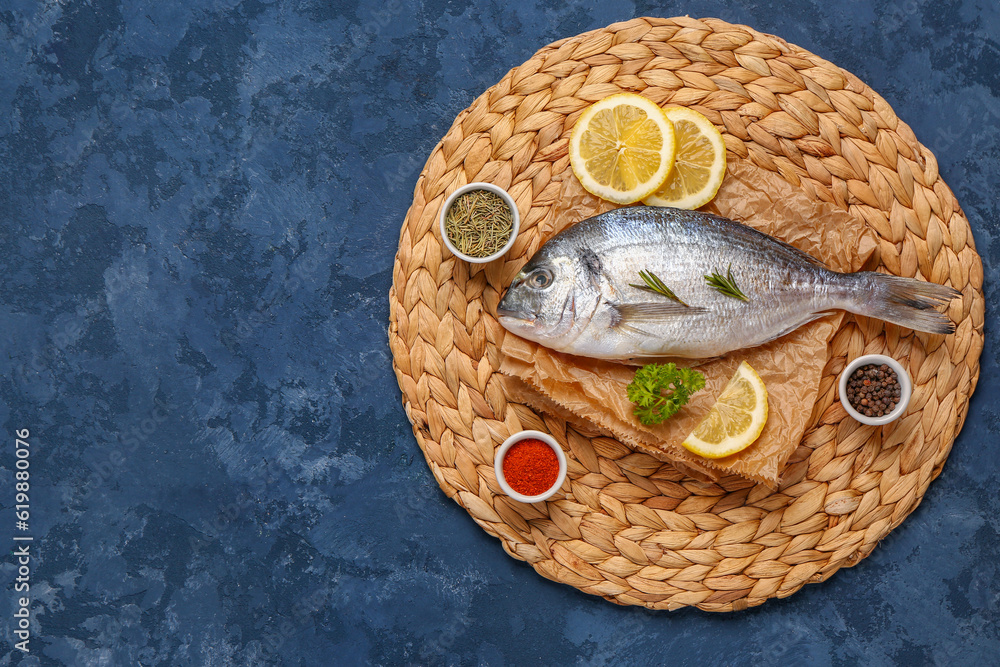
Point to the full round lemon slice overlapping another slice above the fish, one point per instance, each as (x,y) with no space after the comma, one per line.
(622,148)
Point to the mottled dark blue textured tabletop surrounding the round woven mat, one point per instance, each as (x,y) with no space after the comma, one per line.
(199,207)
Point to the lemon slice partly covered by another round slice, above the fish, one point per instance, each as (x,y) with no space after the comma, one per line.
(700,165)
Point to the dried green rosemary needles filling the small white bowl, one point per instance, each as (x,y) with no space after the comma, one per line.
(479,223)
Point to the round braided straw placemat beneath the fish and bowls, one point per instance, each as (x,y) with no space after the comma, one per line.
(626,526)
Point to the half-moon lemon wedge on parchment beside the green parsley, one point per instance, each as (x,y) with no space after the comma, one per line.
(736,419)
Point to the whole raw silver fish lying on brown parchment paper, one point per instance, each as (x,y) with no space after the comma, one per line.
(578,294)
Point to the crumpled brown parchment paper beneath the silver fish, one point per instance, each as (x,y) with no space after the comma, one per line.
(592,390)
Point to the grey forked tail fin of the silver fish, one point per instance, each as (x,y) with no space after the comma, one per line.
(907,302)
